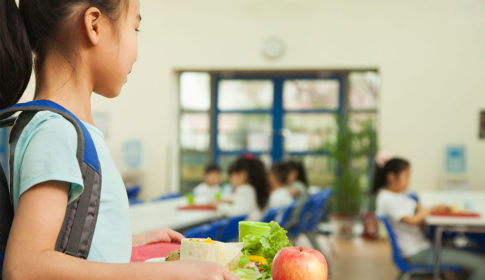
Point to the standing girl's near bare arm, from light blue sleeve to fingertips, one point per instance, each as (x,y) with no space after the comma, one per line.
(30,251)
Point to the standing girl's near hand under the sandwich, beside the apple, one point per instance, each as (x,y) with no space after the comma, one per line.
(195,270)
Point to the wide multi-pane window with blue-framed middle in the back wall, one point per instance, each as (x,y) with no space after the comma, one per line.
(276,116)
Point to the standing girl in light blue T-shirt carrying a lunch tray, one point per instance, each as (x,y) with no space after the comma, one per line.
(80,47)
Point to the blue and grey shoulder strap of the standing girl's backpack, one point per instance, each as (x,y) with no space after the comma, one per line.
(81,215)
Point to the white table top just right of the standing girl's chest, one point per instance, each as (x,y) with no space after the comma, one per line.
(151,215)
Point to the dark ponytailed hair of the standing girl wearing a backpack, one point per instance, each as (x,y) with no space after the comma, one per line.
(39,26)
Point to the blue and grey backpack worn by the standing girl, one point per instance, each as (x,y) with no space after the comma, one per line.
(77,230)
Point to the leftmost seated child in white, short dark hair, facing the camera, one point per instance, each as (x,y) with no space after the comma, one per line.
(206,192)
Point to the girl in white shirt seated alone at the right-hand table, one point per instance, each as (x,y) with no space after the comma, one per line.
(406,215)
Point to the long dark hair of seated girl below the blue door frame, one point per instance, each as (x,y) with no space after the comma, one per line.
(257,177)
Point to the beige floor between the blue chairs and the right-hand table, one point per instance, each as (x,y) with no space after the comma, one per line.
(358,259)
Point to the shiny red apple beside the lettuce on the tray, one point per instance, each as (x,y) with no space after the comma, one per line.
(298,263)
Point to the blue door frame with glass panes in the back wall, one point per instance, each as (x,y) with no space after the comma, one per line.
(277,112)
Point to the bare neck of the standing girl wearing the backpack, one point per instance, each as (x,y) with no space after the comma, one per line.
(69,88)
